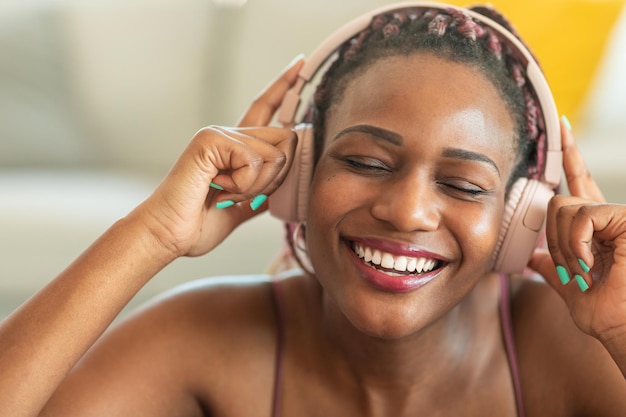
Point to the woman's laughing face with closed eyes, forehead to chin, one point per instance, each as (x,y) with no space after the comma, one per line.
(408,195)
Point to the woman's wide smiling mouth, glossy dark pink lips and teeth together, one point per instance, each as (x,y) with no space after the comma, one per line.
(400,270)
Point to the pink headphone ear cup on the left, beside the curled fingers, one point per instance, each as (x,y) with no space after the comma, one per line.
(289,202)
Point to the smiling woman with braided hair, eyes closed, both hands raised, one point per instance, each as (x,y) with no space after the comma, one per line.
(419,145)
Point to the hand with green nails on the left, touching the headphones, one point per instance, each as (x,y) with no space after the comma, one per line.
(247,161)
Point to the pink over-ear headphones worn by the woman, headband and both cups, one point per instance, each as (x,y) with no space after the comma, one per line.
(526,205)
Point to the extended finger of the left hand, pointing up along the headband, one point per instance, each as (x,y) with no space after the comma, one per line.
(265,105)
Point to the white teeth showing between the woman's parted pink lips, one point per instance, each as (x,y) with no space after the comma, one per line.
(397,265)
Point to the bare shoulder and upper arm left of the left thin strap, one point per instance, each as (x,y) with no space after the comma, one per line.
(191,350)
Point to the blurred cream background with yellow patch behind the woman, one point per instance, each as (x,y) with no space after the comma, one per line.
(98,98)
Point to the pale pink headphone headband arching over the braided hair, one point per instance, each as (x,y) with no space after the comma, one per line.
(554,156)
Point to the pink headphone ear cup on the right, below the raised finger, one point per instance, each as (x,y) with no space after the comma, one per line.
(522,224)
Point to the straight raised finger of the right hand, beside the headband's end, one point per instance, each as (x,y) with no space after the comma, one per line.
(579,181)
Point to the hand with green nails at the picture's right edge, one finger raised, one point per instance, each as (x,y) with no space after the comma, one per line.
(586,238)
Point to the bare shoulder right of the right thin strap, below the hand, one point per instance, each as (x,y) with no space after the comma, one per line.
(563,371)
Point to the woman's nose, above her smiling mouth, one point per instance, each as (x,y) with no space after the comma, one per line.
(409,203)
